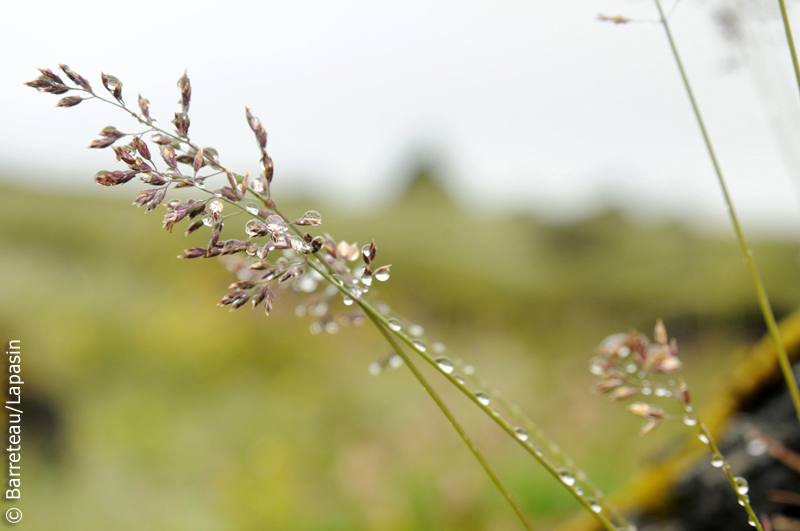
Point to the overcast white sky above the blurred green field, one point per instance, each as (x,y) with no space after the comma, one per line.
(532,105)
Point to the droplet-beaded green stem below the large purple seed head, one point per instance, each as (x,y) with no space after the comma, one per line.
(378,318)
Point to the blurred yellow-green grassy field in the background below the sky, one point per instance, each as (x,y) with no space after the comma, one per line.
(148,407)
